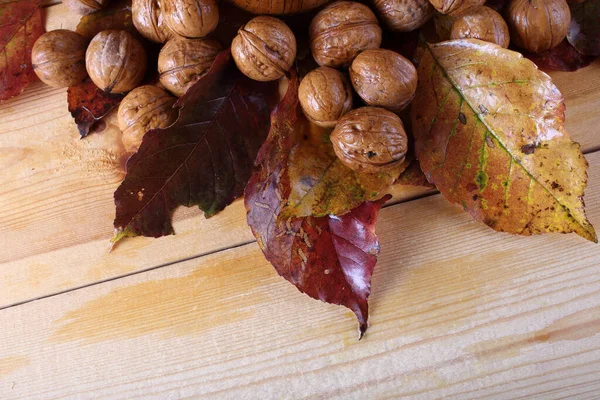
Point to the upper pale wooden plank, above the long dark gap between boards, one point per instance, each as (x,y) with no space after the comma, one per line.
(56,206)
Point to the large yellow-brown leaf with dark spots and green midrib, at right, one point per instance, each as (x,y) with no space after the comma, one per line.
(489,134)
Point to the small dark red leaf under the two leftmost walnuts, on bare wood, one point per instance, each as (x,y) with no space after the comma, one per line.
(88,104)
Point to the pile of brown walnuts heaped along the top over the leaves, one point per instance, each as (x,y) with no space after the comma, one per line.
(344,38)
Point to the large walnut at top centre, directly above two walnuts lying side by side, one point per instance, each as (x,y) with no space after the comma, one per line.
(342,30)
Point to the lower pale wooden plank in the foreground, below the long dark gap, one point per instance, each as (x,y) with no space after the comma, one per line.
(457,312)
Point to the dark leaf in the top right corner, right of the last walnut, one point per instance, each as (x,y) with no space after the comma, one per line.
(584,31)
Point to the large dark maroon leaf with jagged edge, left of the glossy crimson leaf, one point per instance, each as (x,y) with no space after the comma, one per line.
(204,159)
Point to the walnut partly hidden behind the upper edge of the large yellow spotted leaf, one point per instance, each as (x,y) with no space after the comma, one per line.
(484,24)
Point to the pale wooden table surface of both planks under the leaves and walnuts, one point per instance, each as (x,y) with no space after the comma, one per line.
(457,310)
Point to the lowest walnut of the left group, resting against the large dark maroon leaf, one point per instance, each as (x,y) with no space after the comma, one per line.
(144,108)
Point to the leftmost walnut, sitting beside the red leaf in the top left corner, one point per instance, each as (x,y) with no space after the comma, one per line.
(58,58)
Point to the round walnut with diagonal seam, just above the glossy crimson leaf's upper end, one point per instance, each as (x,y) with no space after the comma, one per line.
(264,49)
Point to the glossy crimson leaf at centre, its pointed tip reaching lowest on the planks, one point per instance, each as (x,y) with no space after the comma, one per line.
(328,258)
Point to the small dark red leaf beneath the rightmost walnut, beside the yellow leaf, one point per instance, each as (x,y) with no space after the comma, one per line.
(563,57)
